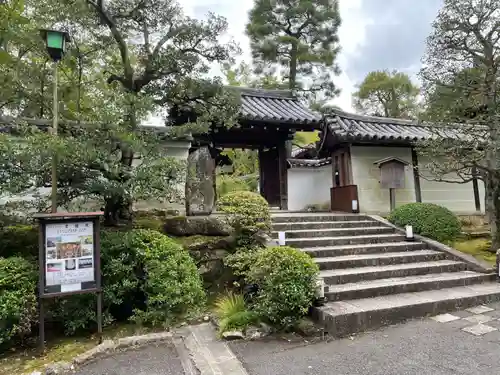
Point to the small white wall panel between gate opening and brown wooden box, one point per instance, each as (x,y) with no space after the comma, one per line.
(308,186)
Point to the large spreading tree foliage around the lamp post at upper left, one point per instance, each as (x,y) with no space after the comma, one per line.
(127,59)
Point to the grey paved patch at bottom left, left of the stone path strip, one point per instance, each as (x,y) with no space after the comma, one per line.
(150,360)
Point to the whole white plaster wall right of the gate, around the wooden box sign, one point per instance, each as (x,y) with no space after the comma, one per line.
(459,198)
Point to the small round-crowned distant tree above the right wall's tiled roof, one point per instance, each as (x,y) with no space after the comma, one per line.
(387,94)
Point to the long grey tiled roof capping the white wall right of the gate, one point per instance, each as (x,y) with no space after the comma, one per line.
(369,128)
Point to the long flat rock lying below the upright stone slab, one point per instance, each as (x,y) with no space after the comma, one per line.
(196,225)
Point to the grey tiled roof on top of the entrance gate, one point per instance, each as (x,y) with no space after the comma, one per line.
(275,105)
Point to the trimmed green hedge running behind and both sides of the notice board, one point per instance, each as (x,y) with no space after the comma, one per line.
(146,276)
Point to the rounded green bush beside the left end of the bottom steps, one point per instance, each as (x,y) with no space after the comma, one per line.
(287,283)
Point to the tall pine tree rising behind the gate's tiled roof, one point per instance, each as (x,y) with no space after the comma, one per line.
(300,38)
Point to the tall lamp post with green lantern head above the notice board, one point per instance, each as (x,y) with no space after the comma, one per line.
(55,42)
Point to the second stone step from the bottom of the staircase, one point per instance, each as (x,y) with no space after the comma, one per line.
(382,287)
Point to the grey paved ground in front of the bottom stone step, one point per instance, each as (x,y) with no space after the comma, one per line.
(418,347)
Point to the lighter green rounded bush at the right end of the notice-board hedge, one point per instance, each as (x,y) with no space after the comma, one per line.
(172,286)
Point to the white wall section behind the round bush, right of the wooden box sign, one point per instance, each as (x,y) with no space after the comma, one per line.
(457,197)
